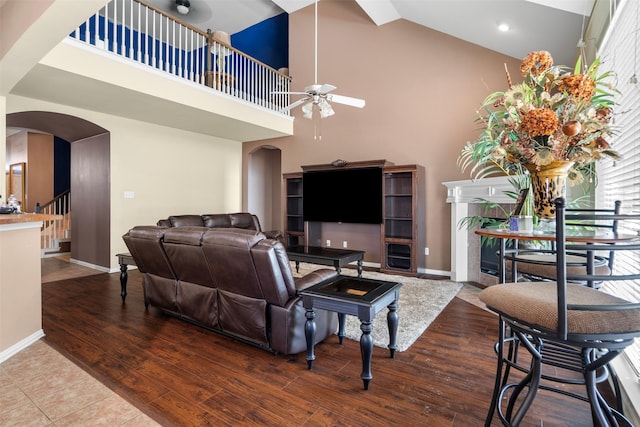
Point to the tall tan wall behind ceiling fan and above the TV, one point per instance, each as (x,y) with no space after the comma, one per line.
(422,90)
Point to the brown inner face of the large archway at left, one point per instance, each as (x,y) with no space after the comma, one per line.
(89,180)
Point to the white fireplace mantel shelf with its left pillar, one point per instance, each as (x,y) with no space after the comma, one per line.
(460,194)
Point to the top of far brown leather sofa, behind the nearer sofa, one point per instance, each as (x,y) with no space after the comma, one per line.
(242,220)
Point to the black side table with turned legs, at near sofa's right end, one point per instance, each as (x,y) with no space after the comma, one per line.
(358,297)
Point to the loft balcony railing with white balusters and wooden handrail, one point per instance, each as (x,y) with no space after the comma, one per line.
(135,30)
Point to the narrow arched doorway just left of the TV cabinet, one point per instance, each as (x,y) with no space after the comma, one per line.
(264,181)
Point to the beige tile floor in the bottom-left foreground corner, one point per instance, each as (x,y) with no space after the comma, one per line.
(40,387)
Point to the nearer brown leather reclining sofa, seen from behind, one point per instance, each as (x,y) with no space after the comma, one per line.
(230,280)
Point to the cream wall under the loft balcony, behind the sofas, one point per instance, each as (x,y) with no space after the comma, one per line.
(169,170)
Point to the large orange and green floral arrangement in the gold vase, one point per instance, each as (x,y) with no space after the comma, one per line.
(555,114)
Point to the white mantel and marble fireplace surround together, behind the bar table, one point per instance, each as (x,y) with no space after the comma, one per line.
(465,244)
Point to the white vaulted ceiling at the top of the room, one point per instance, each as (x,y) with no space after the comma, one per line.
(553,25)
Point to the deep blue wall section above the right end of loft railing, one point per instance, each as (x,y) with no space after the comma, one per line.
(266,41)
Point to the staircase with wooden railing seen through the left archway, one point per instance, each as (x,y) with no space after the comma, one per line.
(56,234)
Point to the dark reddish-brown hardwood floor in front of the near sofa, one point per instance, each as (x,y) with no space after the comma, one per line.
(180,374)
